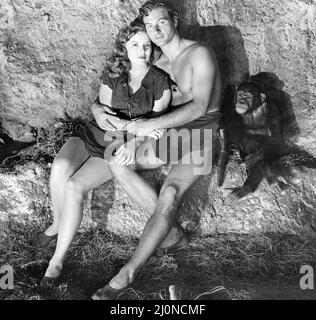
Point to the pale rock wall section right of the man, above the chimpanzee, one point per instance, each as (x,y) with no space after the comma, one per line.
(279,37)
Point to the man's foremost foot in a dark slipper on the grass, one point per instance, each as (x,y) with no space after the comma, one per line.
(117,285)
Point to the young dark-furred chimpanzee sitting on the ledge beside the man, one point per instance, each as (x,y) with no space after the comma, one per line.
(255,133)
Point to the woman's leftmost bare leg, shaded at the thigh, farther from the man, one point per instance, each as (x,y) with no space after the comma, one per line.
(70,157)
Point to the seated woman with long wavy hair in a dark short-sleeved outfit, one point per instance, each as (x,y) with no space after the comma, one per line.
(131,88)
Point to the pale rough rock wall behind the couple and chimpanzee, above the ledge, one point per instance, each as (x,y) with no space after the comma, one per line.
(52,52)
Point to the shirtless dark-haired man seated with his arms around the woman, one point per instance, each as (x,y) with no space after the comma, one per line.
(193,67)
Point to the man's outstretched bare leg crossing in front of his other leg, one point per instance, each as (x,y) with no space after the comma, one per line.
(180,178)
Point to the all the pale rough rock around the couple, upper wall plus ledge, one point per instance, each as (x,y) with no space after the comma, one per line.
(51,58)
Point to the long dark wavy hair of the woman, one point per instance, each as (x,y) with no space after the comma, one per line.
(118,64)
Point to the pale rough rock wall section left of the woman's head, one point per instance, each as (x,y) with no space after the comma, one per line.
(51,56)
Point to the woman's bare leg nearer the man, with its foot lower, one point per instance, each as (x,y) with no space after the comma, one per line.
(93,173)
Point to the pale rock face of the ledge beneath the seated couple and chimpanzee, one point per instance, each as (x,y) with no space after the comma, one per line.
(24,197)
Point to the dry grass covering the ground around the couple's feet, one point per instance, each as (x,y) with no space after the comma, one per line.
(96,256)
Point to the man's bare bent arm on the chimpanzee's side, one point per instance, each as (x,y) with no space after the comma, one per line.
(203,81)
